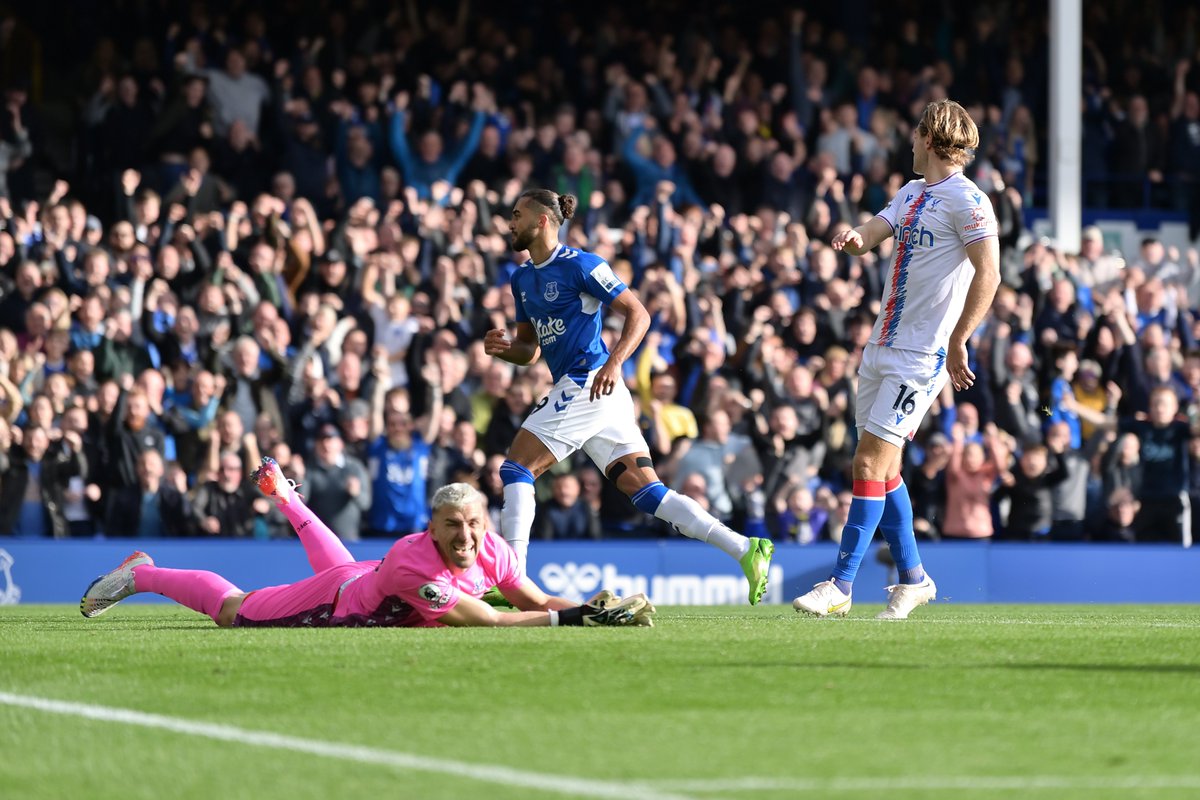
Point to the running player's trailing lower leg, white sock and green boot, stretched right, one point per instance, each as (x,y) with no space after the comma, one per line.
(691,520)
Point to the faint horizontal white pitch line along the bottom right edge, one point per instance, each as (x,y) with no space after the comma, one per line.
(949,784)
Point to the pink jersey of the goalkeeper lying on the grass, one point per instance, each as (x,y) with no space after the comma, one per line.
(412,586)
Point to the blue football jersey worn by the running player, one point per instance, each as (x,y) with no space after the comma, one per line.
(562,298)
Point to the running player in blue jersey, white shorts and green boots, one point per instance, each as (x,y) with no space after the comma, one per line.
(559,296)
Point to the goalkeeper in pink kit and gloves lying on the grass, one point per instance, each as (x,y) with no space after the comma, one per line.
(425,580)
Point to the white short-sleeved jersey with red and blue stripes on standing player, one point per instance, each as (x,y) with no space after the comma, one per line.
(927,285)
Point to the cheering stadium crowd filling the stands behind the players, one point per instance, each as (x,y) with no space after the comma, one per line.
(285,233)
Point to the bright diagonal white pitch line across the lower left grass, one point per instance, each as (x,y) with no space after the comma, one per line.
(491,774)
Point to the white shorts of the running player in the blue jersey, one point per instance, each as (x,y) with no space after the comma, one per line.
(605,429)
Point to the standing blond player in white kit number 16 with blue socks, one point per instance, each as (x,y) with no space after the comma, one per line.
(932,306)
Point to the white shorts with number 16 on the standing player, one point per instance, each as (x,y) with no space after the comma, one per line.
(896,389)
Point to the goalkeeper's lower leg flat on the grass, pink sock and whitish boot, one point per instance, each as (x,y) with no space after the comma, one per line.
(197,590)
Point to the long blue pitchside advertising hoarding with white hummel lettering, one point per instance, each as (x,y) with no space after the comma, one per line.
(671,573)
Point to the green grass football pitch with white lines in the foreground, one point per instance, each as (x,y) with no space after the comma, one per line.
(959,702)
